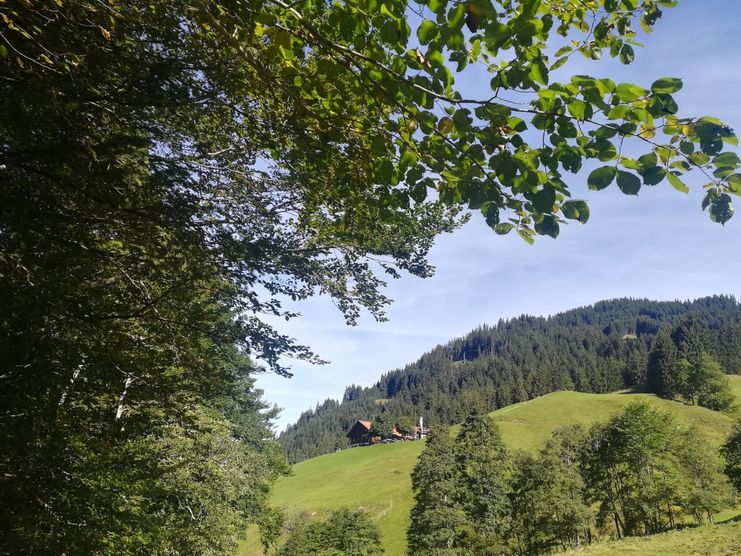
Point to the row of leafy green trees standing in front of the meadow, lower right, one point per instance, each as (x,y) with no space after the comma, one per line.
(637,474)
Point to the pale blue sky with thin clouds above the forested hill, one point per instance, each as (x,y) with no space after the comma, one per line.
(658,245)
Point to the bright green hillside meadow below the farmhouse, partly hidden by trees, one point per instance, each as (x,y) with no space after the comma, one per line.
(377,478)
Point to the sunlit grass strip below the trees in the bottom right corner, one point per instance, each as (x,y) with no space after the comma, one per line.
(708,540)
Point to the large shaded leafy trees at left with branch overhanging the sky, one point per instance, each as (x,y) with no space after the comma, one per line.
(172,171)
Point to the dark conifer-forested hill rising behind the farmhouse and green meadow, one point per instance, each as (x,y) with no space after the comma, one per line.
(600,348)
